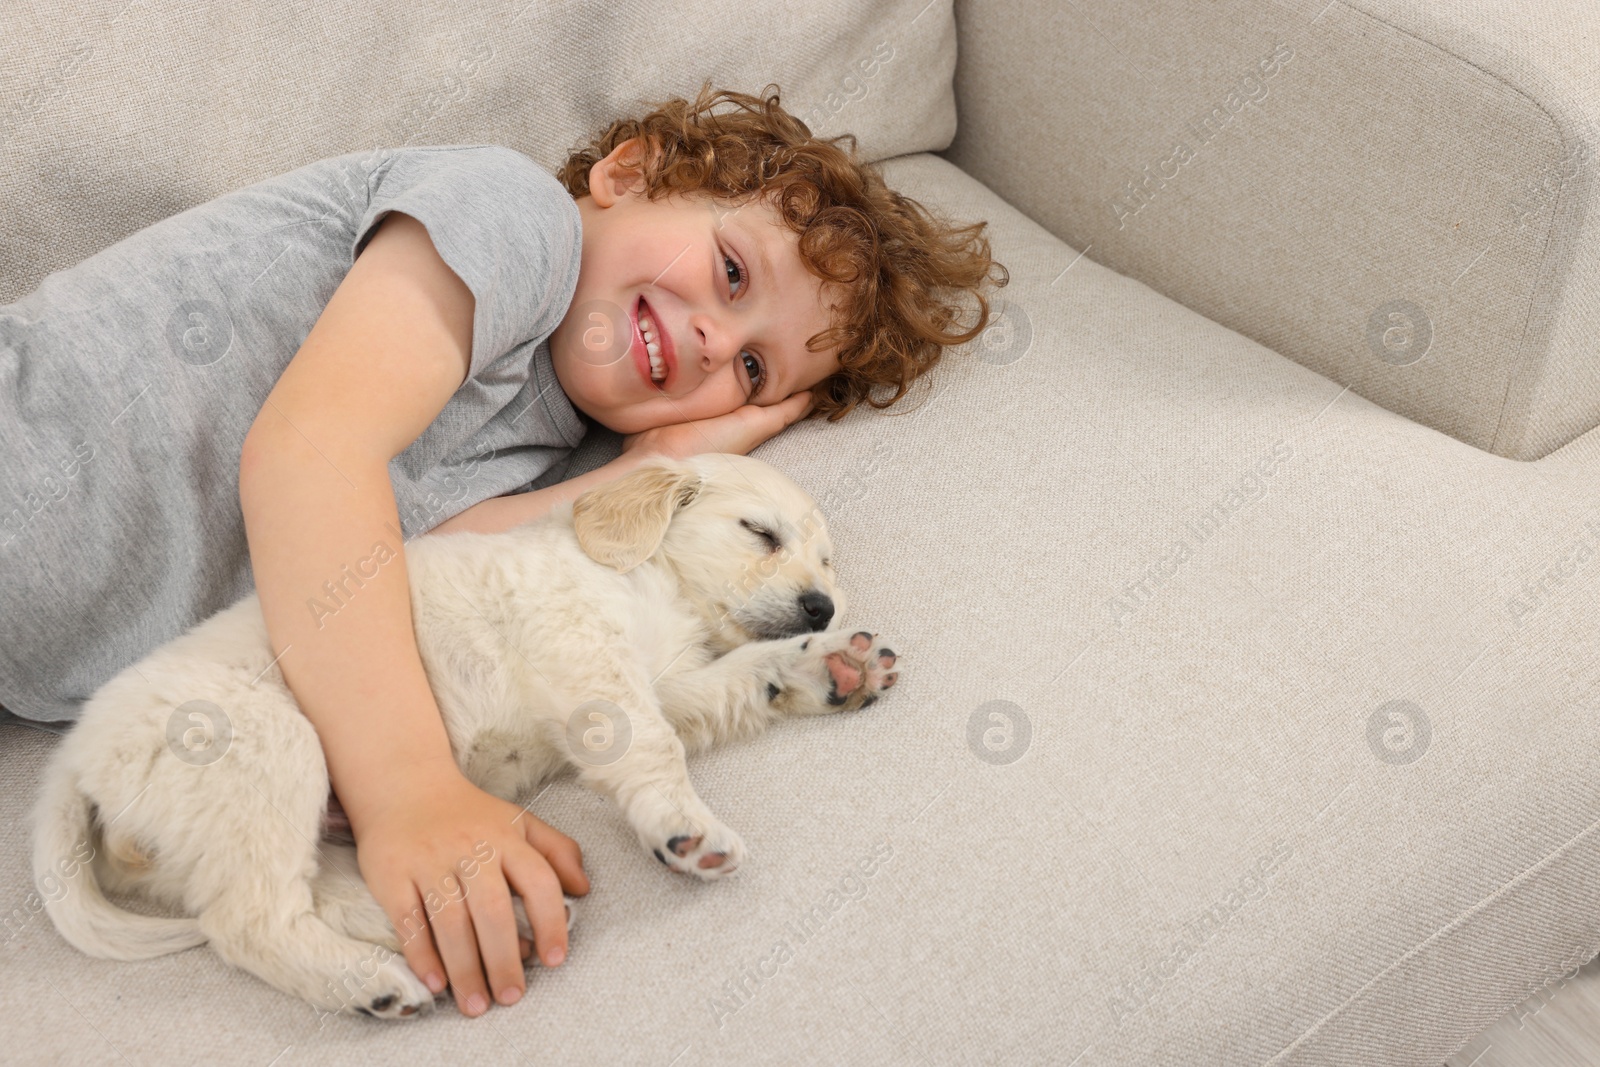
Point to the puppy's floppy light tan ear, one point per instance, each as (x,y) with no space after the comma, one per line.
(622,524)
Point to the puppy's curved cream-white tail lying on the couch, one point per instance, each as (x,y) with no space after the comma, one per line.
(65,844)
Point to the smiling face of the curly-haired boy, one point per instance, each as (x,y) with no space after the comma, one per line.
(730,302)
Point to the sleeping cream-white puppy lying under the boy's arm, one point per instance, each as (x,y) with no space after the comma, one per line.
(682,605)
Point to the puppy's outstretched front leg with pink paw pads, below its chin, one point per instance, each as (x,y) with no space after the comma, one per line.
(742,692)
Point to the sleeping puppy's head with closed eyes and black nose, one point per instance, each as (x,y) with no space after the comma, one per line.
(748,545)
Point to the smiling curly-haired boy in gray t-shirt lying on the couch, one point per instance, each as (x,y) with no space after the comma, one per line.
(278,388)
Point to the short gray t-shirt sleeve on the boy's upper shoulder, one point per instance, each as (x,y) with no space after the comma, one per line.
(503,223)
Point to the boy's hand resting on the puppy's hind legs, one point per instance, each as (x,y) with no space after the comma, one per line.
(439,855)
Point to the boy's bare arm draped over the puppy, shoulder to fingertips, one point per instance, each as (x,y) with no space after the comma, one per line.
(385,358)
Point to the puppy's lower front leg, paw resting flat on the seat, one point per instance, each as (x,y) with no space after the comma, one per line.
(638,761)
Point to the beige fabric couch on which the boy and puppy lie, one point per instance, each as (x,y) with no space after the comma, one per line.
(1244,577)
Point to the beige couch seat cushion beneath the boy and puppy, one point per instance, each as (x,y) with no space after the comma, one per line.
(1241,722)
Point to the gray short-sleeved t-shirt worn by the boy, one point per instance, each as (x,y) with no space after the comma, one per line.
(129,382)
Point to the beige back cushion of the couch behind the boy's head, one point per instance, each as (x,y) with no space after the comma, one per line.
(132,111)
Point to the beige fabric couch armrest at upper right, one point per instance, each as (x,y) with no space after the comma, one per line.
(1398,198)
